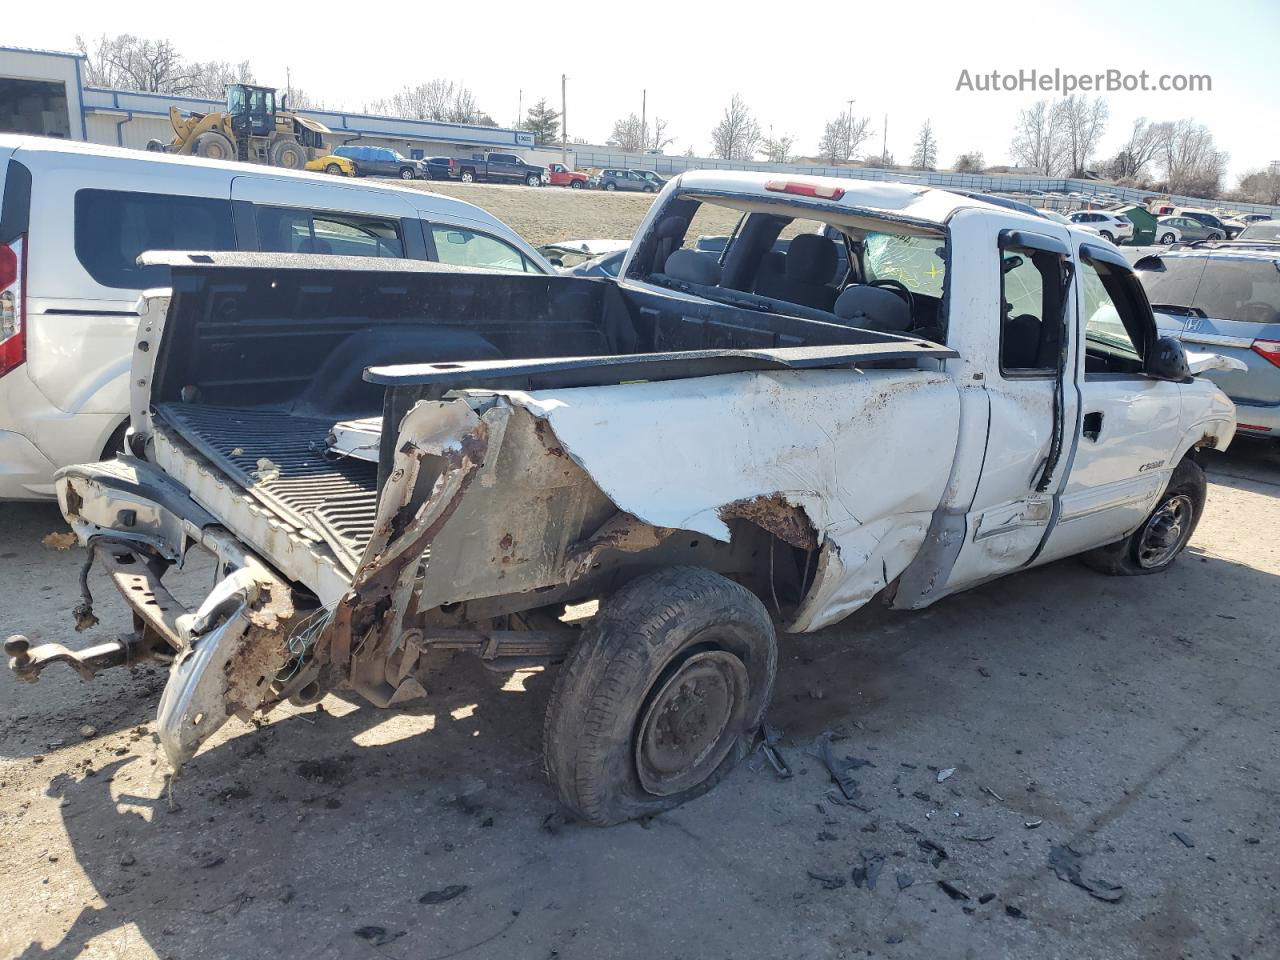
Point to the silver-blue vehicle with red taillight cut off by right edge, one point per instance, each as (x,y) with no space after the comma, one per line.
(1226,300)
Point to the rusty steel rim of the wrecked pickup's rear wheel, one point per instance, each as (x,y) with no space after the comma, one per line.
(691,723)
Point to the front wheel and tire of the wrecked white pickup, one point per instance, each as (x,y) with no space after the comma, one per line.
(1164,534)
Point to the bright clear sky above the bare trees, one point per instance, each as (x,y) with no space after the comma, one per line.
(797,65)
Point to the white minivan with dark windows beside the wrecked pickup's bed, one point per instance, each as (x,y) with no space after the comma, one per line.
(74,220)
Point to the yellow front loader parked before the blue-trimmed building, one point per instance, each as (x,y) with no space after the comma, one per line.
(250,130)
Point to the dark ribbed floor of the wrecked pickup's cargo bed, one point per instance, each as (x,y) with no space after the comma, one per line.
(336,499)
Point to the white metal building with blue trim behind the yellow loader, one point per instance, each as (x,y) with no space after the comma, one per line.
(42,92)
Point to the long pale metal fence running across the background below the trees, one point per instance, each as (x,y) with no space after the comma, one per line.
(1057,193)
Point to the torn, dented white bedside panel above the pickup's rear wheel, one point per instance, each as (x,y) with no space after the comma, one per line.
(866,455)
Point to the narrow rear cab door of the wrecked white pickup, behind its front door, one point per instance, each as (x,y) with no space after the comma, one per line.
(1014,289)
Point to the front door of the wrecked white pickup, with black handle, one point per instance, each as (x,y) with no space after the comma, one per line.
(1131,424)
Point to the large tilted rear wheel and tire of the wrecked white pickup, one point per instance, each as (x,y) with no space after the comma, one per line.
(682,651)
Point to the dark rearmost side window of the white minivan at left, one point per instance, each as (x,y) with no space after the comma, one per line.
(113,227)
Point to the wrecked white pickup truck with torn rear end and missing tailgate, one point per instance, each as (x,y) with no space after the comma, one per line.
(922,394)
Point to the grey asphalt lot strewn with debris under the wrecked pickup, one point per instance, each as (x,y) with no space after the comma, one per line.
(1116,712)
